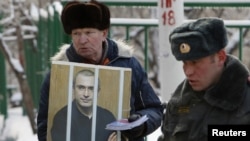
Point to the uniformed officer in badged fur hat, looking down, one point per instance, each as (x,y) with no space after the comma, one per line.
(215,91)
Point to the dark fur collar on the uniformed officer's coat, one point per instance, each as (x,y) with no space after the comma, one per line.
(228,93)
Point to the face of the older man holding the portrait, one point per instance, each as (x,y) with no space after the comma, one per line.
(88,42)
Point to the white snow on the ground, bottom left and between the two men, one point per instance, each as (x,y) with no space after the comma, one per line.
(17,128)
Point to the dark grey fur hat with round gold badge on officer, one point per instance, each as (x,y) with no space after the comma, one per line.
(198,39)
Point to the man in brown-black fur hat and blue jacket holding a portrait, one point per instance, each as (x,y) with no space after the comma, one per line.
(87,23)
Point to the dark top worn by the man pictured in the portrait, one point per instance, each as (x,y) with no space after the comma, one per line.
(81,125)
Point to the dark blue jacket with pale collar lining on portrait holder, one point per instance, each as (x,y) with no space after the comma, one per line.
(143,101)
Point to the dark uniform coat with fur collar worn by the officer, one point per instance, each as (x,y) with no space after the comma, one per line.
(189,113)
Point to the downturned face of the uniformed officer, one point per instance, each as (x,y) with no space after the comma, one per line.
(203,73)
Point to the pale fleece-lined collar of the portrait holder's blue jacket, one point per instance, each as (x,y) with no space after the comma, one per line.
(112,49)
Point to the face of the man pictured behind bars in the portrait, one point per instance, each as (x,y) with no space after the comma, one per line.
(84,90)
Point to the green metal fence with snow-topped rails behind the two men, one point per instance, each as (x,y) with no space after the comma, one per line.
(51,36)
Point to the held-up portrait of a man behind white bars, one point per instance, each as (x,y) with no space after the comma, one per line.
(87,97)
